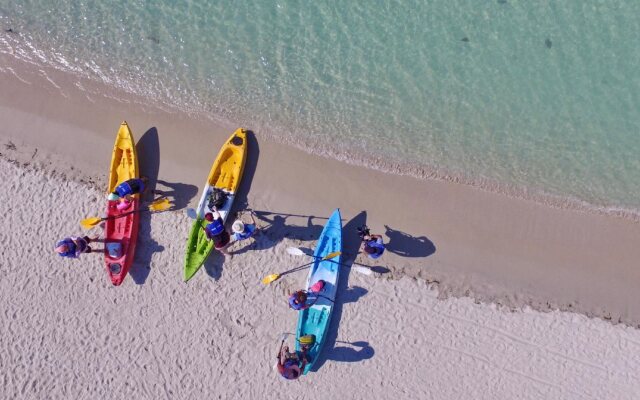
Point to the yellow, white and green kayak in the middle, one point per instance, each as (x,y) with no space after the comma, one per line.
(225,174)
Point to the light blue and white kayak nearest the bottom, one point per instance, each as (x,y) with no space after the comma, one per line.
(316,319)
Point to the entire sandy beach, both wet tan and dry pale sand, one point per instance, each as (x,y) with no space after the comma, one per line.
(67,333)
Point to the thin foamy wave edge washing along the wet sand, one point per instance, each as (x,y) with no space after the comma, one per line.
(161,96)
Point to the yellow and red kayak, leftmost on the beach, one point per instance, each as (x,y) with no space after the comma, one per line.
(121,227)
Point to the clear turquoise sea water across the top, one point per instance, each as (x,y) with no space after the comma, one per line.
(536,98)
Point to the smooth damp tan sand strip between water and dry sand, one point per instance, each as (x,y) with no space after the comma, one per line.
(471,242)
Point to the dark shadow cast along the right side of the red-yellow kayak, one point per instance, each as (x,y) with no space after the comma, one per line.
(148,150)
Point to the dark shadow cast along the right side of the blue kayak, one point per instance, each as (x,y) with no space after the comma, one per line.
(350,245)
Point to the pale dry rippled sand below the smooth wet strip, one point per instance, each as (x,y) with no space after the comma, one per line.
(66,332)
